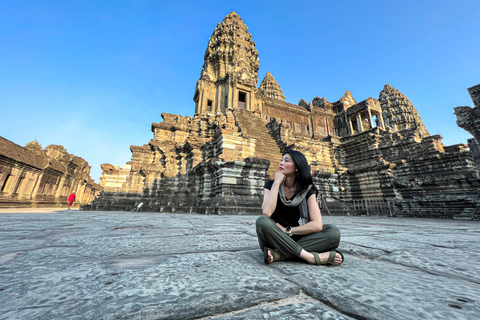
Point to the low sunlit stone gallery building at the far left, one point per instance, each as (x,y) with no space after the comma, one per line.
(32,176)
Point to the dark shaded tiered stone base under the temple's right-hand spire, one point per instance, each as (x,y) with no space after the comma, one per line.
(424,178)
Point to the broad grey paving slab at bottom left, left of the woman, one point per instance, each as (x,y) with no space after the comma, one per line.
(162,287)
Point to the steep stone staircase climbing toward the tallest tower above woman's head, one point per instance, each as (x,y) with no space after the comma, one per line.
(253,126)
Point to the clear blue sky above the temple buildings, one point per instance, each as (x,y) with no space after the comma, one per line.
(94,75)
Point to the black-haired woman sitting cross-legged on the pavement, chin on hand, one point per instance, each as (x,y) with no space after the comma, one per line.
(291,225)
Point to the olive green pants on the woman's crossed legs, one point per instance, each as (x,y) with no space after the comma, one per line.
(271,236)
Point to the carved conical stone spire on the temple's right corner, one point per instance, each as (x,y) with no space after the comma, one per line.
(399,113)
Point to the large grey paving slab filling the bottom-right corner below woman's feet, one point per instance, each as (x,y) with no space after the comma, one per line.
(380,290)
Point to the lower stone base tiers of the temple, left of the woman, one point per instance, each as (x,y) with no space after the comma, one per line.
(220,187)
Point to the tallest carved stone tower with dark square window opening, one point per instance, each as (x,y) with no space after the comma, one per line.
(230,71)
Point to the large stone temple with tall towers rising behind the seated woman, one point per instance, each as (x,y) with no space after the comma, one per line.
(373,156)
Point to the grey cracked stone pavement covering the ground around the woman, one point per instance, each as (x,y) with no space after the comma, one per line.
(59,264)
